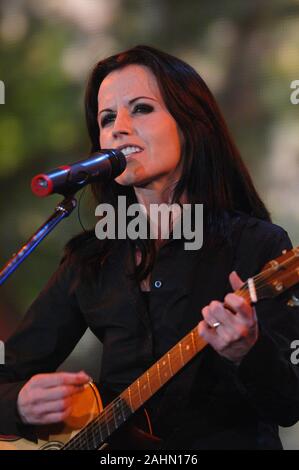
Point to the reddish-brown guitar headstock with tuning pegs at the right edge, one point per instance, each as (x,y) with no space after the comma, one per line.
(278,275)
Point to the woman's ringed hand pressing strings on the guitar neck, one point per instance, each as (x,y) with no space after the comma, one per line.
(236,332)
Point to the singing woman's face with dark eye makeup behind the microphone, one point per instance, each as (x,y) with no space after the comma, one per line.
(133,117)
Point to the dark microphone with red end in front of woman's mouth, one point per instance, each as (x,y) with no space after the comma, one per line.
(68,179)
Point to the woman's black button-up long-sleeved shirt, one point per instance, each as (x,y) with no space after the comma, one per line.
(211,403)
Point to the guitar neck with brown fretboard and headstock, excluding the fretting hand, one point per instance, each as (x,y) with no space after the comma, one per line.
(278,276)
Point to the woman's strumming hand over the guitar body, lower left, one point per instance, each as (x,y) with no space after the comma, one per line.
(47,398)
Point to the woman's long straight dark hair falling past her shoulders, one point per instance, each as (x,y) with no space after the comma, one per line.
(213,172)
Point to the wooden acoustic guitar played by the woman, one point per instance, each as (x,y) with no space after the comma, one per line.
(93,426)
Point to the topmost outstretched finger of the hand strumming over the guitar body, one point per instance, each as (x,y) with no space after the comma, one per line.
(59,378)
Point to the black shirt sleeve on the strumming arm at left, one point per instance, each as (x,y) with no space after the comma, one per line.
(46,336)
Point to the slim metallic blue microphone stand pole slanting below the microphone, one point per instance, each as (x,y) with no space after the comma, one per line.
(62,210)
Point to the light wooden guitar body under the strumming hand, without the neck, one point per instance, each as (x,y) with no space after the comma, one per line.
(87,405)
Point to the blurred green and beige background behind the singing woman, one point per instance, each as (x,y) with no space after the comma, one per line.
(247,52)
